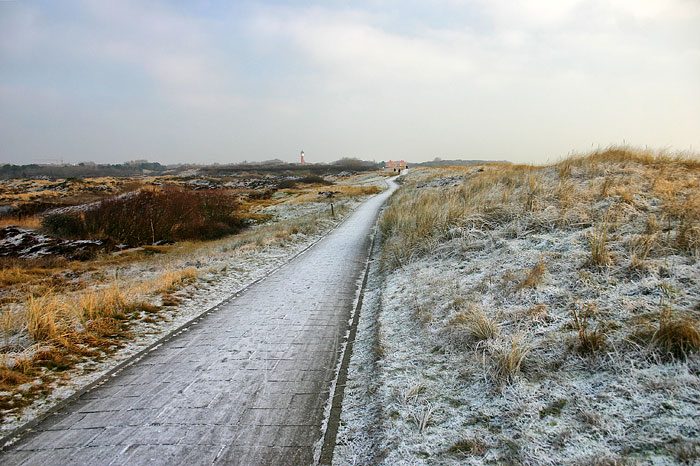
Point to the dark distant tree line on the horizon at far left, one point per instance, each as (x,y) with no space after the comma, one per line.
(81,170)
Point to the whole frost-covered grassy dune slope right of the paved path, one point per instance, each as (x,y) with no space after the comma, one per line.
(533,316)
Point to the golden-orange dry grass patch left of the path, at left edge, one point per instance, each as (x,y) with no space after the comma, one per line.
(71,326)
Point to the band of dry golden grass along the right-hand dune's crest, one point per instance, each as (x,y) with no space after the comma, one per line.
(418,220)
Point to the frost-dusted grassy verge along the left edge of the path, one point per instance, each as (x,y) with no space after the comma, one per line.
(178,286)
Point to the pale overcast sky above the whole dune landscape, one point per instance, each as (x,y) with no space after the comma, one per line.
(185,81)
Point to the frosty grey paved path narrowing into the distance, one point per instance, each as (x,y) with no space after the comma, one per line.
(245,385)
